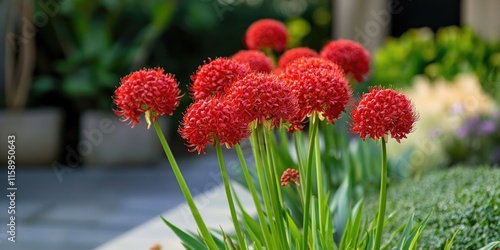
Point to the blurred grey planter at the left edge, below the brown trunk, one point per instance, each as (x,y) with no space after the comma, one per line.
(37,135)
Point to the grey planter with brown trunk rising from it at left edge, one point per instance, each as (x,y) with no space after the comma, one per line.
(36,129)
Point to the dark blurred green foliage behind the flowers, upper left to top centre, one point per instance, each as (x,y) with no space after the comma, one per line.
(88,45)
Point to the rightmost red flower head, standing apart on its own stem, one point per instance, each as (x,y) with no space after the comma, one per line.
(383,111)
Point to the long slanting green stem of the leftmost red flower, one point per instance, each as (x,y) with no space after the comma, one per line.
(209,241)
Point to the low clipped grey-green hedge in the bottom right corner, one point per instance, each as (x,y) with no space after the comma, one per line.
(464,201)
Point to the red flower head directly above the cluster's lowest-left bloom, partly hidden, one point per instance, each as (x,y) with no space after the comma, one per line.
(216,75)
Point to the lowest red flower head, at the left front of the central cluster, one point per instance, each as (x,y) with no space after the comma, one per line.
(212,118)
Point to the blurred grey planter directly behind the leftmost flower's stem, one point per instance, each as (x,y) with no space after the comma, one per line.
(105,141)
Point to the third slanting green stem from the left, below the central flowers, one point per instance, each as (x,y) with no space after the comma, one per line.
(262,221)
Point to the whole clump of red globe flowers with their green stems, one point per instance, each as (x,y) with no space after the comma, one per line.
(247,96)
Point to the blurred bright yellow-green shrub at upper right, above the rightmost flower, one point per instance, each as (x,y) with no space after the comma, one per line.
(450,51)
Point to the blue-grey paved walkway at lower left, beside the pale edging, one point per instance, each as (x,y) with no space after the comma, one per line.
(93,206)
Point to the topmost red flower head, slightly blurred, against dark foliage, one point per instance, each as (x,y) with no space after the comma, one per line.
(267,33)
